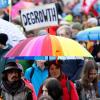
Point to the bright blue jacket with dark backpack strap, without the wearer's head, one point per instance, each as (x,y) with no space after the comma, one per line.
(38,77)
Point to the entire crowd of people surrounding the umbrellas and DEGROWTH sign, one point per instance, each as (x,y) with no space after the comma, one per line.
(74,78)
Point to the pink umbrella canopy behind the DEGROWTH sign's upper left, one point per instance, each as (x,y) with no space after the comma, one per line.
(18,6)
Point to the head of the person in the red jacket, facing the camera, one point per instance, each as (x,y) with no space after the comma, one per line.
(54,69)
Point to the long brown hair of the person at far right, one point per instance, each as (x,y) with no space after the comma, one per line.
(88,66)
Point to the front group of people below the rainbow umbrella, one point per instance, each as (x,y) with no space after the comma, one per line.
(54,86)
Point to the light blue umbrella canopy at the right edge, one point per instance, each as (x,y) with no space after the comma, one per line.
(89,34)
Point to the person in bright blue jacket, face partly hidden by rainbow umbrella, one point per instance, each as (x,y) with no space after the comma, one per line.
(39,74)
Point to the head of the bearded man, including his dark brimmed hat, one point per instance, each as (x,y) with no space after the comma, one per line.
(11,72)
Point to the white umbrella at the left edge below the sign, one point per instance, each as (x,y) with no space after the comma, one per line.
(15,35)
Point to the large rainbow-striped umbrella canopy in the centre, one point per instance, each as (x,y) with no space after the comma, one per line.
(48,45)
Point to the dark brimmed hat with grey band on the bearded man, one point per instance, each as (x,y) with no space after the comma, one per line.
(11,66)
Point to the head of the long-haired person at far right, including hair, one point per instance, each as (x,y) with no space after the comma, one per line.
(89,75)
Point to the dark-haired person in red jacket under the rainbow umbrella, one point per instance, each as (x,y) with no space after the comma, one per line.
(69,91)
